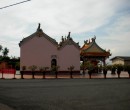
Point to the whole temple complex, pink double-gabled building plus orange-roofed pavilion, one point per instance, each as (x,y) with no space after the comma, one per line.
(41,50)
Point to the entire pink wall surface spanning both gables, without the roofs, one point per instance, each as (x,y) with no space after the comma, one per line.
(38,51)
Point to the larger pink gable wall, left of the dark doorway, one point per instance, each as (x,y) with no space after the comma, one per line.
(37,51)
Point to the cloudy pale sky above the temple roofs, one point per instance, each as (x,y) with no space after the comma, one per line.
(108,20)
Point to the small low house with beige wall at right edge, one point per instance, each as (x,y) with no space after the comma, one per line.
(124,60)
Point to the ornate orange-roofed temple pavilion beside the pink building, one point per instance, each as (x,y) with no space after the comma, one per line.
(90,51)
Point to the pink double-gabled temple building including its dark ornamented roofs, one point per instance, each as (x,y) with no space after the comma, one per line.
(43,51)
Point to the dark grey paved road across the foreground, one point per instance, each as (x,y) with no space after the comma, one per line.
(65,94)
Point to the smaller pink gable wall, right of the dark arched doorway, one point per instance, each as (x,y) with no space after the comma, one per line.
(68,56)
